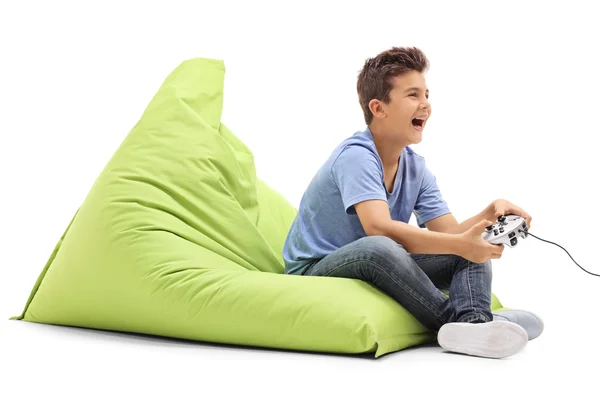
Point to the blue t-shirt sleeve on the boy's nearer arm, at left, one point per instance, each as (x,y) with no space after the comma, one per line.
(358,176)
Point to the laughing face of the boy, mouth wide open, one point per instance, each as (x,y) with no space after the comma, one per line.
(405,116)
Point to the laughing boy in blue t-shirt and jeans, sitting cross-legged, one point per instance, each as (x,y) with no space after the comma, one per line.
(353,219)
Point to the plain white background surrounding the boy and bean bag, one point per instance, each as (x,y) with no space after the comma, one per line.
(514,89)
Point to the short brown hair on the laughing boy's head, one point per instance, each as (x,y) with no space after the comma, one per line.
(375,79)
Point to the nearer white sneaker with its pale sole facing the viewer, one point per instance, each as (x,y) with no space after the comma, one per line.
(495,339)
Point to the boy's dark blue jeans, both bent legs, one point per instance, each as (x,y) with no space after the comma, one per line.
(416,281)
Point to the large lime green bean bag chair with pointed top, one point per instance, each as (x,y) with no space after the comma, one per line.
(179,238)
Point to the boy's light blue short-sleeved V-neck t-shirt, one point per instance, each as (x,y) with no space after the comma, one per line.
(326,218)
